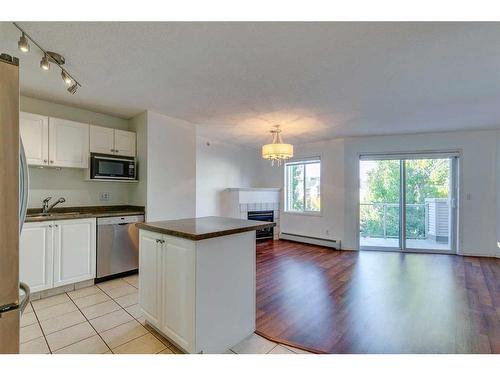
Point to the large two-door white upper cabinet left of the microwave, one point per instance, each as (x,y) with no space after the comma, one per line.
(54,142)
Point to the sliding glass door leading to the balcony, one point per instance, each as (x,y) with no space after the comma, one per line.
(408,203)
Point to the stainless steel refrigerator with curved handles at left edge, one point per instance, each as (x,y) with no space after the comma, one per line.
(13,205)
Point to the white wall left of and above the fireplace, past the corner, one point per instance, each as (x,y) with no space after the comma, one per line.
(220,166)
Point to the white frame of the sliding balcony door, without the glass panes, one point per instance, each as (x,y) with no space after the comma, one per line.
(455,189)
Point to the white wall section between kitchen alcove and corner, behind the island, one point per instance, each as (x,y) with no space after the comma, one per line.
(171,168)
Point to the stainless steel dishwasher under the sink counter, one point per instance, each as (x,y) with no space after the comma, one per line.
(117,245)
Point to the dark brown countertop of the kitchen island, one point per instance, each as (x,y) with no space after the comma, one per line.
(202,228)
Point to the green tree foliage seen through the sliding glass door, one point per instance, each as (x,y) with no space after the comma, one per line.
(425,178)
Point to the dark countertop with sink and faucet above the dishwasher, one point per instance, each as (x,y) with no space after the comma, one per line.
(66,213)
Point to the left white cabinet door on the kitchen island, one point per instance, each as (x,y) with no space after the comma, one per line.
(149,275)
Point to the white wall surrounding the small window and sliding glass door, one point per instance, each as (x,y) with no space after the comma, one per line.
(340,179)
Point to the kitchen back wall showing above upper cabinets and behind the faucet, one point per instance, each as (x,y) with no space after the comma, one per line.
(69,183)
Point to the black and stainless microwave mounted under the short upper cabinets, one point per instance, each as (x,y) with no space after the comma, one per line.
(112,167)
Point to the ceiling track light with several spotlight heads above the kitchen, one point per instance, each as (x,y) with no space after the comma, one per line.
(48,58)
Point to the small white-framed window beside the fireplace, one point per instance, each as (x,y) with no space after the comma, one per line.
(302,186)
